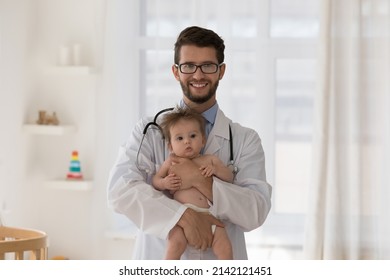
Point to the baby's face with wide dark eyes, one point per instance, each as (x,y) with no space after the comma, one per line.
(186,139)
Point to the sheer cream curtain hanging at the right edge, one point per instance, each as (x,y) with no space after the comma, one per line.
(348,215)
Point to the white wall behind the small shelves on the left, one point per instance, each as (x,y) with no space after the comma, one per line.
(31,32)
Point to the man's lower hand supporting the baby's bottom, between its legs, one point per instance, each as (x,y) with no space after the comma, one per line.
(197,228)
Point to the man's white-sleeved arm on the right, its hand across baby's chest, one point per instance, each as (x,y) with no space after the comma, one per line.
(247,202)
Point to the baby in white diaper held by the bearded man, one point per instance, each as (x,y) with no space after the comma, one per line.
(185,133)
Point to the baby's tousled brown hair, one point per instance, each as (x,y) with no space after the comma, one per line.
(170,119)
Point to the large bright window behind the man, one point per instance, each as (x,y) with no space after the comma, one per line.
(271,66)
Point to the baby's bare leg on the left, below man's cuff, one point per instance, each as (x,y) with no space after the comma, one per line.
(176,245)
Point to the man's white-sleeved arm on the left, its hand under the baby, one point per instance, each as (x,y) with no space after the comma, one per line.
(129,190)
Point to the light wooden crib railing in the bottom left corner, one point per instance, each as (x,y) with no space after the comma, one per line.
(23,244)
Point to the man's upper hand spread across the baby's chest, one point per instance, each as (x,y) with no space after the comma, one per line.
(191,176)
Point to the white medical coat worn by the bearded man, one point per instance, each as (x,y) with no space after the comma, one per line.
(242,206)
